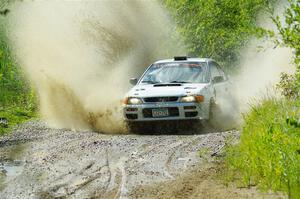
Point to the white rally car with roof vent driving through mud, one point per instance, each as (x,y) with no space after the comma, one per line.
(182,88)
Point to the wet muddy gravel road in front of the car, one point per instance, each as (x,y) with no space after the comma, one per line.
(39,162)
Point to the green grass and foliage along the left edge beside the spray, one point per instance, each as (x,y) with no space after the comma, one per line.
(17,99)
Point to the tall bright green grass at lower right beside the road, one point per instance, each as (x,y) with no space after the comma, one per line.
(269,149)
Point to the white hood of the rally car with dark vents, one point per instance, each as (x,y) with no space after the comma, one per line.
(156,90)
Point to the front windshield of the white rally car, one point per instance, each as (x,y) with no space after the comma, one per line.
(176,72)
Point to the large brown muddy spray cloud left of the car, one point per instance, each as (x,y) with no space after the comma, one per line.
(80,55)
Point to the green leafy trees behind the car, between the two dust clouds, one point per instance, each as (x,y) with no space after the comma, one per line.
(217,29)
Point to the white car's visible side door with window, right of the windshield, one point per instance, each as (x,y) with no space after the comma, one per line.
(219,81)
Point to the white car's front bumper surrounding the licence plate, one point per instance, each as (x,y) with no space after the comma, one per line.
(177,111)
